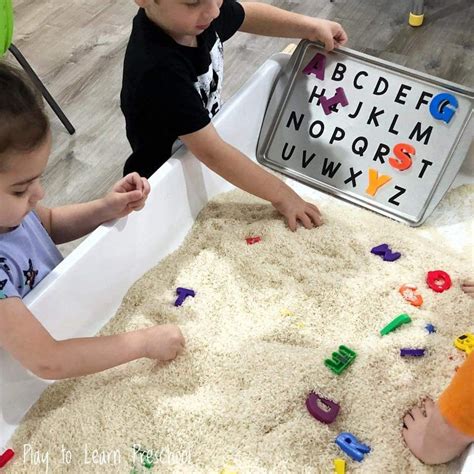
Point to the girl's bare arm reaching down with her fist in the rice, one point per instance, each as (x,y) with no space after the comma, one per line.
(23,336)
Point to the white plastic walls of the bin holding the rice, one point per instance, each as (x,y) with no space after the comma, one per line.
(113,257)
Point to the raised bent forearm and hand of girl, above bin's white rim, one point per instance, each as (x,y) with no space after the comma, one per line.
(71,222)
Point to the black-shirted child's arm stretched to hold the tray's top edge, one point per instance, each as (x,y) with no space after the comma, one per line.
(267,20)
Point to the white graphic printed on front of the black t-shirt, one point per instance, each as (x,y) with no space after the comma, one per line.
(209,84)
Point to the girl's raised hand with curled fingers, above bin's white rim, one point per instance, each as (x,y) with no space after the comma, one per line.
(129,194)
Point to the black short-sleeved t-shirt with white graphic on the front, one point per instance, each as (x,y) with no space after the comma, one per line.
(170,90)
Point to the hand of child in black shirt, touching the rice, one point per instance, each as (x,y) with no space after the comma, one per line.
(295,209)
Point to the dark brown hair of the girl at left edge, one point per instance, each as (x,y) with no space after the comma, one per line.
(23,122)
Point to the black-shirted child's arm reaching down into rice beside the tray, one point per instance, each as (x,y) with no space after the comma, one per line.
(235,167)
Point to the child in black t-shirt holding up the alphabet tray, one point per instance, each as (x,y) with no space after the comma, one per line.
(172,81)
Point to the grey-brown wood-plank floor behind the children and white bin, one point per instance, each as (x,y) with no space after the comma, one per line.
(77,48)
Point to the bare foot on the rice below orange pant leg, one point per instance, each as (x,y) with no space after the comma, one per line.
(429,437)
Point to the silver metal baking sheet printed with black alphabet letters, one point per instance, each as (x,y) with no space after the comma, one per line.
(350,151)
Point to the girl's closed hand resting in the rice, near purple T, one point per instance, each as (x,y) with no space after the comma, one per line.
(164,342)
